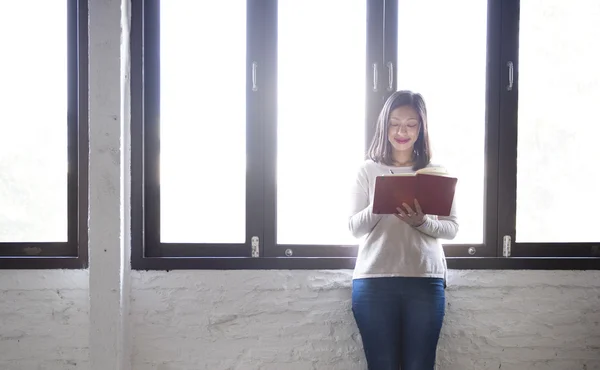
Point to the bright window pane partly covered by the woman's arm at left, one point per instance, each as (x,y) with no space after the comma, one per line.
(321,115)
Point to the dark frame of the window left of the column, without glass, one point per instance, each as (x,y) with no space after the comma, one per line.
(73,253)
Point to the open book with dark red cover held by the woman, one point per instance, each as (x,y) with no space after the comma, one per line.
(431,186)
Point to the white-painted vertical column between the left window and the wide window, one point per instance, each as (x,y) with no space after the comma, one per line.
(108,184)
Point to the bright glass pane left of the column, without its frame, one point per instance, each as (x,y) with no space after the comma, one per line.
(33,127)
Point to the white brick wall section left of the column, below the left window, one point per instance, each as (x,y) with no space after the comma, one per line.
(44,320)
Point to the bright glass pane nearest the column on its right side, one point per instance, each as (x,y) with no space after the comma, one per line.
(203,121)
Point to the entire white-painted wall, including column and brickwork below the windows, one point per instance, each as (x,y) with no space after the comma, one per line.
(189,320)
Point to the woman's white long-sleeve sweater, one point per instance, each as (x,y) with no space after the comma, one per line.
(389,246)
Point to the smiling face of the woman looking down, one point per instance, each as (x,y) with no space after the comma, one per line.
(403,128)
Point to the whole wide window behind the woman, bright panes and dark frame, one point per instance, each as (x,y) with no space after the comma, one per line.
(238,109)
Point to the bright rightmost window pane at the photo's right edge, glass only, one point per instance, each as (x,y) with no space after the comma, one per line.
(559,121)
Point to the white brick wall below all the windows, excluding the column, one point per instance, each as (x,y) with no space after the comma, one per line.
(288,320)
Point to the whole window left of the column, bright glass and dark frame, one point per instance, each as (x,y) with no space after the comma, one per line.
(42,183)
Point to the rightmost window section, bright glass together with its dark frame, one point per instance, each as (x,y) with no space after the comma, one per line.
(548,143)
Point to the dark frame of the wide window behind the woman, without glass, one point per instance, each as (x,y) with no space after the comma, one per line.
(381,54)
